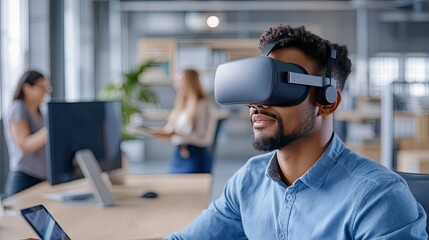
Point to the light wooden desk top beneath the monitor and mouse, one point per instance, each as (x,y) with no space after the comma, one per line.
(181,198)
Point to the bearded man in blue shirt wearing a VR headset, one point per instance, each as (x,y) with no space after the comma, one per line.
(309,185)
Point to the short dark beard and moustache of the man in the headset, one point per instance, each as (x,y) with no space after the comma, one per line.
(281,139)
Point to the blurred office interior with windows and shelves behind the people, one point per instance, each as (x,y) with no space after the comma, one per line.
(82,45)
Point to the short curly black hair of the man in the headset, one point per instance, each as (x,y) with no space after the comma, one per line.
(313,47)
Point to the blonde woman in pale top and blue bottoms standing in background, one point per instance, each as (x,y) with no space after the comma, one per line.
(190,126)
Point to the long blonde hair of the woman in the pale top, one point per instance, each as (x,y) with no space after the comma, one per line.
(188,100)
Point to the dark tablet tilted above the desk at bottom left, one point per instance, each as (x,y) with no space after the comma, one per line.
(43,223)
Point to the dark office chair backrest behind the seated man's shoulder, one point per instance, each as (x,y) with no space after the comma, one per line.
(419,186)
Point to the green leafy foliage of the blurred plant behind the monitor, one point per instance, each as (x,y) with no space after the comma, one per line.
(133,93)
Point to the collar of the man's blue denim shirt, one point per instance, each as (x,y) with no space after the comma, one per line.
(316,175)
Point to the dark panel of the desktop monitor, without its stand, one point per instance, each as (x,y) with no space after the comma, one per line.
(74,126)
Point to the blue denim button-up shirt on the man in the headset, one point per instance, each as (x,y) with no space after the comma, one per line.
(342,196)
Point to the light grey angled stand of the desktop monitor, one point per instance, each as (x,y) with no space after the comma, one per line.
(92,171)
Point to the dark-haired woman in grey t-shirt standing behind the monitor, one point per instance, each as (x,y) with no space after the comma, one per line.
(25,133)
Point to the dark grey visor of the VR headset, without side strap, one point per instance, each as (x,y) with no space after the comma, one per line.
(258,80)
